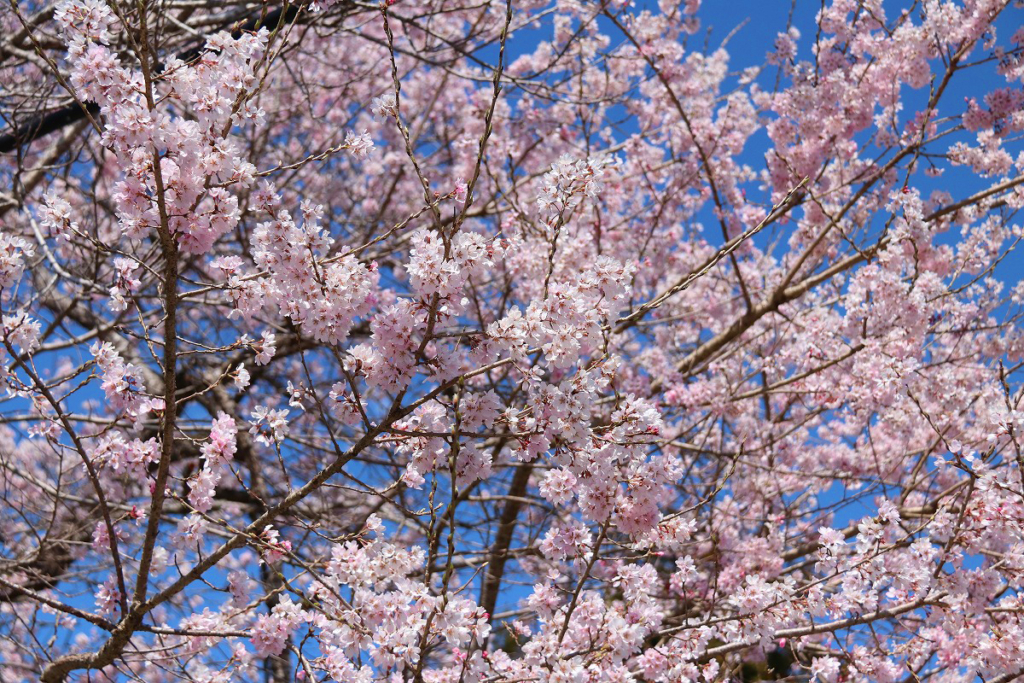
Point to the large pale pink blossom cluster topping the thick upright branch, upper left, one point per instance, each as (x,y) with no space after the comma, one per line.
(192,151)
